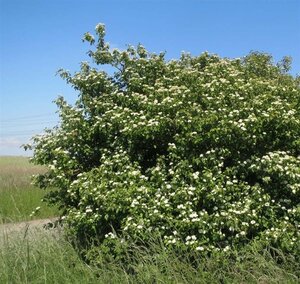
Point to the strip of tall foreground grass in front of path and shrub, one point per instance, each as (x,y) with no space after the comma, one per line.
(46,257)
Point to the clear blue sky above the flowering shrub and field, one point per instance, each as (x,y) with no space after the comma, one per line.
(38,37)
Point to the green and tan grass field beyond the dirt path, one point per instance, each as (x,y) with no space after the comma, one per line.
(18,198)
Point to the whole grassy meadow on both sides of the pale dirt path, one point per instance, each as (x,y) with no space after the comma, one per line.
(47,256)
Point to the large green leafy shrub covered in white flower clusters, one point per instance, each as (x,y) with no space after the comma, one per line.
(202,150)
